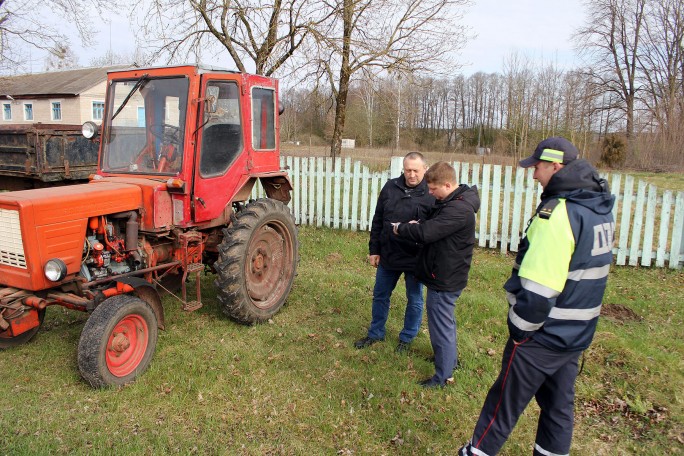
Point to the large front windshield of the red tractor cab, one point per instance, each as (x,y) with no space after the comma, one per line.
(144,129)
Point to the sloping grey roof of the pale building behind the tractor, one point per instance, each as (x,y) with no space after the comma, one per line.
(55,83)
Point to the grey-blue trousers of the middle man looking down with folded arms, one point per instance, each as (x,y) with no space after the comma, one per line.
(442,327)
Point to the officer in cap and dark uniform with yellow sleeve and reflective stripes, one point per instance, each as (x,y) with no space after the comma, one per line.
(554,294)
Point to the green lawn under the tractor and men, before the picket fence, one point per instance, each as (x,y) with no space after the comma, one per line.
(296,385)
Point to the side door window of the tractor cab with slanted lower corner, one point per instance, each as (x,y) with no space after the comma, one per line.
(222,131)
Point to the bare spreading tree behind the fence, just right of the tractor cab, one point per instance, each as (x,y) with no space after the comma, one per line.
(383,36)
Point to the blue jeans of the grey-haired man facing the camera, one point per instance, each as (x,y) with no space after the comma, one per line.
(385,281)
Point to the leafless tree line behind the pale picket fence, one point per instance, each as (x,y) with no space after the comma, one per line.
(628,95)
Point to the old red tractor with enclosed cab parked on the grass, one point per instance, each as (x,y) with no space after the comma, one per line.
(180,150)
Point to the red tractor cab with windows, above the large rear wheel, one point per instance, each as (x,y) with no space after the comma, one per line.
(208,133)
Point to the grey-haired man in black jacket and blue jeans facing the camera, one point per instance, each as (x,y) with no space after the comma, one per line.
(401,199)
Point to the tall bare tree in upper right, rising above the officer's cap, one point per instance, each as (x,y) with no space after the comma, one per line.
(610,42)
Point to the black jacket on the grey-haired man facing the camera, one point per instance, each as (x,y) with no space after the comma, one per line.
(398,203)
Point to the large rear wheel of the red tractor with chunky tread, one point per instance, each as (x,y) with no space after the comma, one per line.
(257,261)
